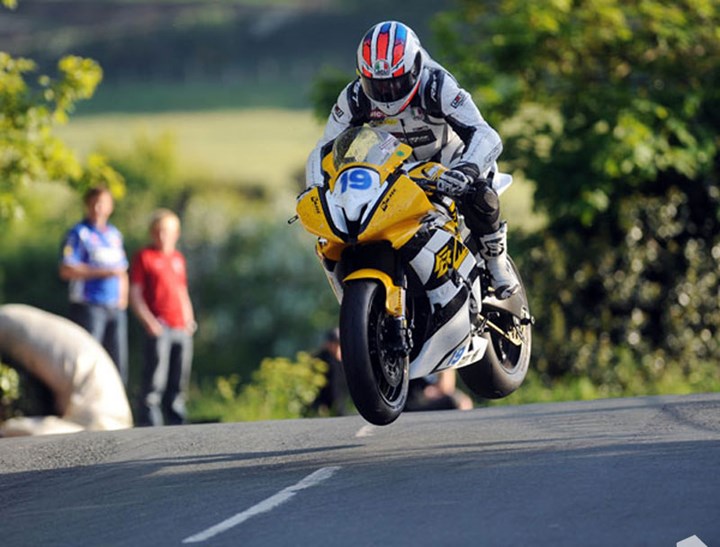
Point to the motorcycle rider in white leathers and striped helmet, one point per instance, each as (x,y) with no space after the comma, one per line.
(401,89)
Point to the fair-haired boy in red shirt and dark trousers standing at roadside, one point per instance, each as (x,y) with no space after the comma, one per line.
(160,299)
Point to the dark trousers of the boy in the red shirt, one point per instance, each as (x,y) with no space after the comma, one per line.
(166,377)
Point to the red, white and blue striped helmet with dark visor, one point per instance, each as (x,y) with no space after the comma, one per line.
(389,62)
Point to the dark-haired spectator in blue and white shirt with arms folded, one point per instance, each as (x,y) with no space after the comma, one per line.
(95,264)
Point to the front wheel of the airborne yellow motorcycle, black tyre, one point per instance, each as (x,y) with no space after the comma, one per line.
(377,379)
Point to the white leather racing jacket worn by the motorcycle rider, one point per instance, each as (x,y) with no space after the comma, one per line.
(441,123)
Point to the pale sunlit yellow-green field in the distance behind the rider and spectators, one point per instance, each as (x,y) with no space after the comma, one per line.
(244,146)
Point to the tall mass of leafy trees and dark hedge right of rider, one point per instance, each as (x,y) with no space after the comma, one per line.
(612,108)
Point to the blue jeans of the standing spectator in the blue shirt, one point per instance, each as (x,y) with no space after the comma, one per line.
(109,327)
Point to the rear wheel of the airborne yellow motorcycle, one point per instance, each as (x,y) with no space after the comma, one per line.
(504,366)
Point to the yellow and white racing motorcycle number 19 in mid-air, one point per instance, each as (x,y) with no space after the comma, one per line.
(414,297)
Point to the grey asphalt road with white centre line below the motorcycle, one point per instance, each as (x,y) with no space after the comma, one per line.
(620,472)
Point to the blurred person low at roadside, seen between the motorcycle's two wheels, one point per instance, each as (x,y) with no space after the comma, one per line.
(437,392)
